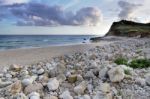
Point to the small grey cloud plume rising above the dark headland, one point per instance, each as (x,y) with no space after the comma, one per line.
(127,9)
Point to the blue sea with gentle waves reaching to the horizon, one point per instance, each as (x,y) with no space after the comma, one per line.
(32,41)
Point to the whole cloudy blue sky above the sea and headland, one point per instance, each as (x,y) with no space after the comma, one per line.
(80,17)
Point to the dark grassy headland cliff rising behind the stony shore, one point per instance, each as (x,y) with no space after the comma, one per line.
(129,29)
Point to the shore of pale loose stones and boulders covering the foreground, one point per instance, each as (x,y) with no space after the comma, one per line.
(89,75)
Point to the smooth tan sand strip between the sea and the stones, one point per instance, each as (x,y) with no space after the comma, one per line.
(34,55)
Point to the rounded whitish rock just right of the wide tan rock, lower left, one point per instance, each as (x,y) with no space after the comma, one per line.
(53,84)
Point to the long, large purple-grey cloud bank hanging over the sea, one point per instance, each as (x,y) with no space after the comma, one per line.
(38,14)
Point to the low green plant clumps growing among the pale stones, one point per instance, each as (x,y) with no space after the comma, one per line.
(136,63)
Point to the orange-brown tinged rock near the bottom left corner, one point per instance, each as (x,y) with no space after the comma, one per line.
(16,87)
